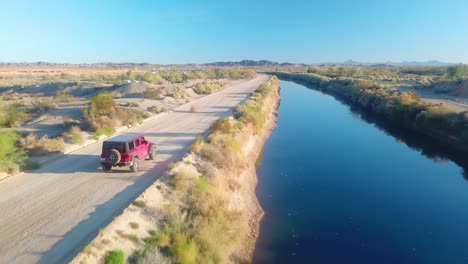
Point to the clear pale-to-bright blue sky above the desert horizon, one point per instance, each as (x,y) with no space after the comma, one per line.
(200,31)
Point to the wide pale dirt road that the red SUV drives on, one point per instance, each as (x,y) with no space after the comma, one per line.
(48,215)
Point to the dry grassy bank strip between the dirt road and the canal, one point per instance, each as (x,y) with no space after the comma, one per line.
(206,209)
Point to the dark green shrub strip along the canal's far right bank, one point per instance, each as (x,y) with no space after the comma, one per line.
(403,108)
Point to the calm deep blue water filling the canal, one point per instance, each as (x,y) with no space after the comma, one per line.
(337,188)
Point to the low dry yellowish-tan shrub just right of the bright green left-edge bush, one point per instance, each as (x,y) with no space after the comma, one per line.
(42,145)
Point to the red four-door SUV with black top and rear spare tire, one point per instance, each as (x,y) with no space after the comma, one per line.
(126,150)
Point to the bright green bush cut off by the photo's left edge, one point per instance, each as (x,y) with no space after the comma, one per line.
(12,158)
